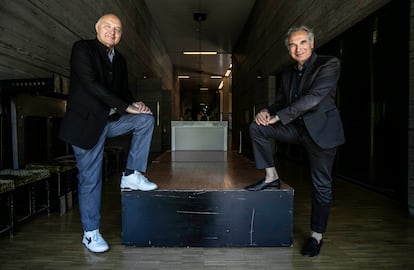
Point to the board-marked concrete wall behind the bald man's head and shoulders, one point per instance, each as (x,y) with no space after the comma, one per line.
(37,36)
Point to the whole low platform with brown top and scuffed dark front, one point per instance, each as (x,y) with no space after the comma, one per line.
(201,202)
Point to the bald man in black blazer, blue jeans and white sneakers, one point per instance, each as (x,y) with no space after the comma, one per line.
(100,105)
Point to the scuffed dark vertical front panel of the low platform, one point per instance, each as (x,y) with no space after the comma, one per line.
(210,218)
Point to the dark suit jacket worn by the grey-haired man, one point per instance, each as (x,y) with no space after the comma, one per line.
(316,102)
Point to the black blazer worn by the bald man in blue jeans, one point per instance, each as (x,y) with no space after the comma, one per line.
(92,94)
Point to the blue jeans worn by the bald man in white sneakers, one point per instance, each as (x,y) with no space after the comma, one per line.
(89,163)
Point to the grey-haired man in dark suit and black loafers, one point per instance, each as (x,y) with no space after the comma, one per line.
(304,112)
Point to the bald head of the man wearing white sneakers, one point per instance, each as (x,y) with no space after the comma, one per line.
(109,30)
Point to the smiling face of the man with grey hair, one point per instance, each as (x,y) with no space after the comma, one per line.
(300,47)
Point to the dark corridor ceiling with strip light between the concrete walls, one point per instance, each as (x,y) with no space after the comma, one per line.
(182,31)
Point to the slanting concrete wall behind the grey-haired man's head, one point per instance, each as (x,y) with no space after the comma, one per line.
(261,49)
